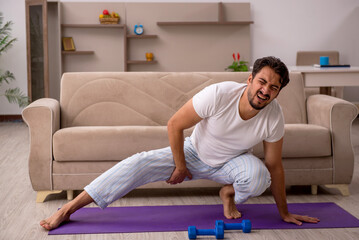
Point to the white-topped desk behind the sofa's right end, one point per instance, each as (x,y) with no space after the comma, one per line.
(325,78)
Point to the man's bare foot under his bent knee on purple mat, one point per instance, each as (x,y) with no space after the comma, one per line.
(230,210)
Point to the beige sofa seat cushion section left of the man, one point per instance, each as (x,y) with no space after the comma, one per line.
(107,143)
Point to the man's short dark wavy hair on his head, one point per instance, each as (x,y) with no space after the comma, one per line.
(274,63)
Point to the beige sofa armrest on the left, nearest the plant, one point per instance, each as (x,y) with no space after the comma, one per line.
(43,119)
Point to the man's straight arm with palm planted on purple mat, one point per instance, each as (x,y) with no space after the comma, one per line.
(273,161)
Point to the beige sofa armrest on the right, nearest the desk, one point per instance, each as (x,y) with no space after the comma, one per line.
(337,115)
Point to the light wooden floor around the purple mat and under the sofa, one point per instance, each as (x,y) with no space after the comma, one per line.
(20,215)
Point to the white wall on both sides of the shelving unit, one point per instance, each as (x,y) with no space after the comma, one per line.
(280,28)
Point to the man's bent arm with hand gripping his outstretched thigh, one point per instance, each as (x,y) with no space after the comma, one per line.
(184,118)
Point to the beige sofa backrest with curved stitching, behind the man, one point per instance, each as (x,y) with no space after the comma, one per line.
(150,98)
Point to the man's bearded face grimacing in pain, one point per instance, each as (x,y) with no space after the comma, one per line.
(263,88)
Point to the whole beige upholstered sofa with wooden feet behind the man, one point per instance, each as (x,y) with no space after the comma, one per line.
(103,118)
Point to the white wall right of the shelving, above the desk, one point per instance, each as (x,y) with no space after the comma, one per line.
(282,27)
